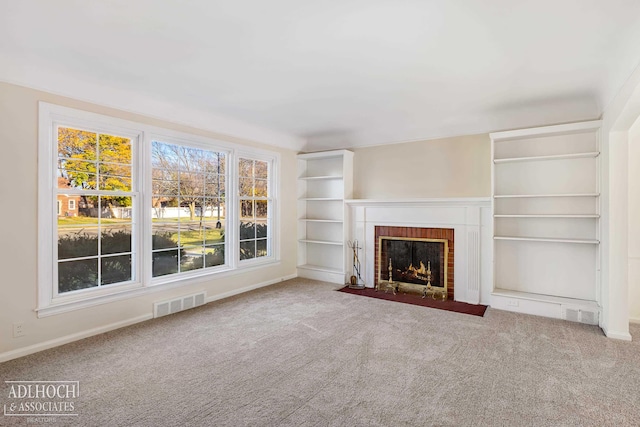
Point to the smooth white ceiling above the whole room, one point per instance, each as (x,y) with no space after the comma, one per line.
(314,75)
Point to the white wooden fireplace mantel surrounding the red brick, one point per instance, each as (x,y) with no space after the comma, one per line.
(470,218)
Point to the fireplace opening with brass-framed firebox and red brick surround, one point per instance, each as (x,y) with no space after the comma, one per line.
(413,259)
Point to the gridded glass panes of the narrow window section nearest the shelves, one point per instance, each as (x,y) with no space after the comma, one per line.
(255,208)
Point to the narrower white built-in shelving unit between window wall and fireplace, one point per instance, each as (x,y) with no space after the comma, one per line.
(325,180)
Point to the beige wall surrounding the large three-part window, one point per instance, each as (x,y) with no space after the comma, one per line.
(18,230)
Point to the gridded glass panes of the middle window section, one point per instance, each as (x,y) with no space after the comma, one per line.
(188,208)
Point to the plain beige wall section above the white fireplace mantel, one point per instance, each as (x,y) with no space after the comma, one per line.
(450,167)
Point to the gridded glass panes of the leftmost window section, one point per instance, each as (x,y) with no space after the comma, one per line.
(94,247)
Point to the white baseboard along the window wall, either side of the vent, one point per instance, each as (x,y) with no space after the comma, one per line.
(24,351)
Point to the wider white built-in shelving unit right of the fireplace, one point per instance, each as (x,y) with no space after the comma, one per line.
(546,209)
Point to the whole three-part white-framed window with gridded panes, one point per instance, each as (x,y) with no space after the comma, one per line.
(126,206)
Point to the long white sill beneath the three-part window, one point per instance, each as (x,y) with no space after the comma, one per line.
(129,291)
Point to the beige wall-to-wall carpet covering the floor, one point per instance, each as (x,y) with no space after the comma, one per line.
(301,354)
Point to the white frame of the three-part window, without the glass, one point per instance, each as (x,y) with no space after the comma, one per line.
(50,115)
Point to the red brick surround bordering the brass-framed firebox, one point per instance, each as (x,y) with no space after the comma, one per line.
(418,233)
